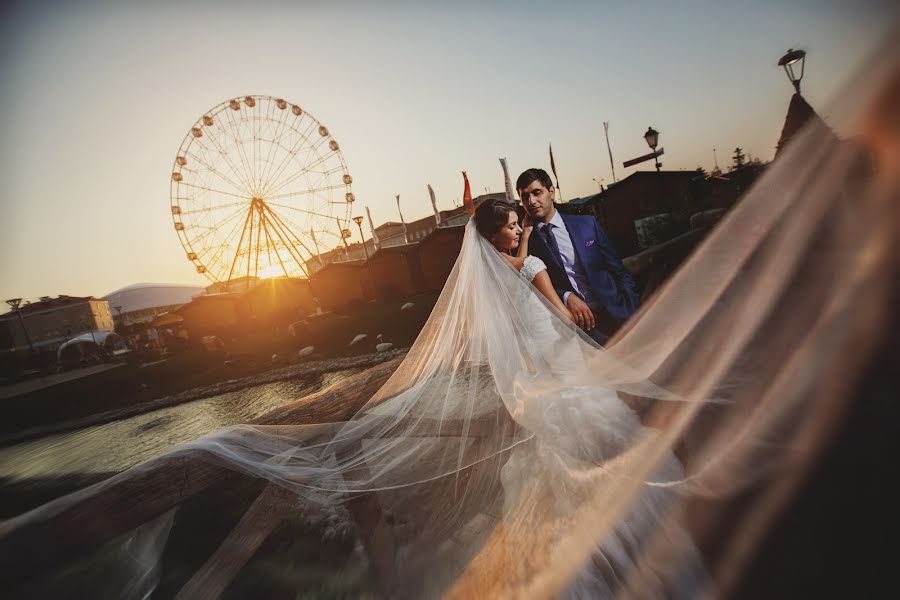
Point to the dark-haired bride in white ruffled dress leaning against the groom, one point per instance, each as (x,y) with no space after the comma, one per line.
(611,429)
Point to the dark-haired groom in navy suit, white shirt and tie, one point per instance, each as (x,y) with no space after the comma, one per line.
(583,266)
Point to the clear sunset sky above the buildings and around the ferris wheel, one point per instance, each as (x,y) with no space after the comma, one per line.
(95,98)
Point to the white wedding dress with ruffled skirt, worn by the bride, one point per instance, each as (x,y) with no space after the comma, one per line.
(614,427)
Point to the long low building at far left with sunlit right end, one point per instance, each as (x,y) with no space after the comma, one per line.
(52,321)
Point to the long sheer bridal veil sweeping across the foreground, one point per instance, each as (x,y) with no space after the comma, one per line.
(509,456)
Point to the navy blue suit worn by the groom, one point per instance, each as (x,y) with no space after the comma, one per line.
(611,284)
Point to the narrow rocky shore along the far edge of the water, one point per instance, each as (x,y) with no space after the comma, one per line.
(286,373)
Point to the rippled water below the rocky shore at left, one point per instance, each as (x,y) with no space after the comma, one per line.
(116,446)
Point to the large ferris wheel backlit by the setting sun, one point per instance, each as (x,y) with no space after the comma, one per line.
(258,188)
